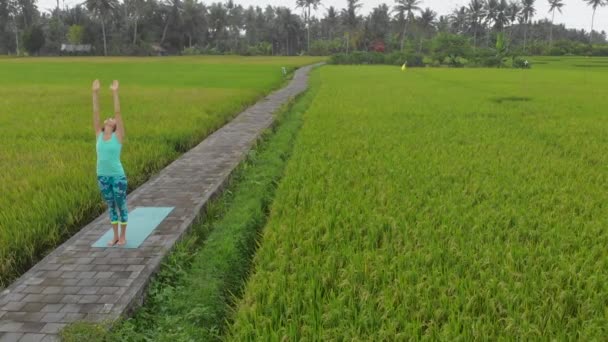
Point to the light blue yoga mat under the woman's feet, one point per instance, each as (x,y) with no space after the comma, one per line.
(142,222)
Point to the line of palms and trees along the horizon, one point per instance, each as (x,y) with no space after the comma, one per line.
(143,27)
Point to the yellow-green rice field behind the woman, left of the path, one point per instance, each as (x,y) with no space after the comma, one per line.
(48,182)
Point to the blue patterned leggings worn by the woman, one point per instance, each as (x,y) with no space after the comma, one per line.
(114,192)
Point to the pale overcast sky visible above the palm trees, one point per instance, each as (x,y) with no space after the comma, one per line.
(576,12)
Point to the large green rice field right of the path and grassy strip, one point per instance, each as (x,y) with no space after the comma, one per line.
(440,204)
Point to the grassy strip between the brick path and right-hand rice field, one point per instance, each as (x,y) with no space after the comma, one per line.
(191,298)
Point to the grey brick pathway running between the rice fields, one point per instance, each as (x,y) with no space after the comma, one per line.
(78,282)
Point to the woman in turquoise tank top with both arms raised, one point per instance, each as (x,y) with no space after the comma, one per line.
(110,173)
